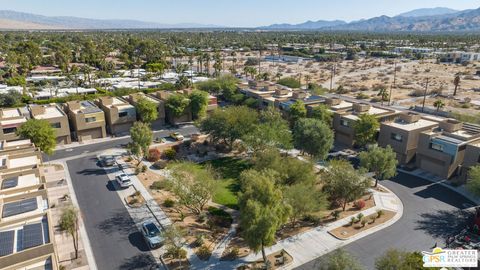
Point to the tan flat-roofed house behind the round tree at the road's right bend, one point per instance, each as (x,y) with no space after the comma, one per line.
(402,134)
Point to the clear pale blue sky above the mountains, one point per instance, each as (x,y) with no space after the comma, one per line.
(229,12)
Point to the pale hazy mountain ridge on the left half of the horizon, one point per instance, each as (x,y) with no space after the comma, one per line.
(66,22)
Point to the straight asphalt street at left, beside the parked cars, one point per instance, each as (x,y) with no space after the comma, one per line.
(115,240)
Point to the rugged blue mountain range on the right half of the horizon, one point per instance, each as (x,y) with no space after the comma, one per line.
(421,20)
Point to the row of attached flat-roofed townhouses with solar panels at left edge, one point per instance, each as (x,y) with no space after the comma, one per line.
(26,234)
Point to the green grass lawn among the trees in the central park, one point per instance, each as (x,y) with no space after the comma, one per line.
(229,170)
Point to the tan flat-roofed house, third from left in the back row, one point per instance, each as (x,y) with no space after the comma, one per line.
(86,120)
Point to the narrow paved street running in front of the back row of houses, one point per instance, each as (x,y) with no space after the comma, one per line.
(114,143)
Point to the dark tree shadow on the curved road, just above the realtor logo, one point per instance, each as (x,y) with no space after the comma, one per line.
(444,223)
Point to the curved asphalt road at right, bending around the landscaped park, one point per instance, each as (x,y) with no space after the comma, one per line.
(431,214)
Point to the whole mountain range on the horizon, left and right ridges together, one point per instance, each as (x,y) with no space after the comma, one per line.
(420,20)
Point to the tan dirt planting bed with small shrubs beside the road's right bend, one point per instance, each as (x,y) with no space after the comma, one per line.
(347,231)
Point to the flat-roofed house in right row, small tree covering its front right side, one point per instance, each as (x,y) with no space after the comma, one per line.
(344,120)
